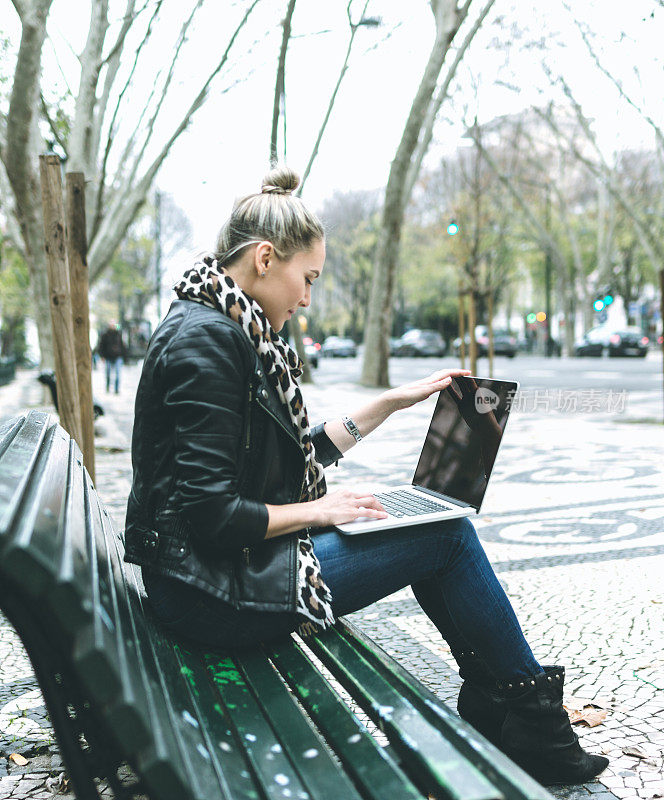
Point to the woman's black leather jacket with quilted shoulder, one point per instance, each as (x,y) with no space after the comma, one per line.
(211,445)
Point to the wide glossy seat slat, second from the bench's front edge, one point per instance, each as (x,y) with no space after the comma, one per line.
(435,759)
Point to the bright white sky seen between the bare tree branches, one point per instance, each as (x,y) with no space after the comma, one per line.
(224,152)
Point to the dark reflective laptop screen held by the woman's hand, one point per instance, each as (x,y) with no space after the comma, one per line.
(463,439)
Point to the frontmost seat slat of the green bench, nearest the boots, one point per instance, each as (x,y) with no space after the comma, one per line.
(512,781)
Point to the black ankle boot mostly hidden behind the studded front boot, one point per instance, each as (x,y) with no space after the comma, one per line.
(480,702)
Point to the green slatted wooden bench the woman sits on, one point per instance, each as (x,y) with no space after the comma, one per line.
(263,723)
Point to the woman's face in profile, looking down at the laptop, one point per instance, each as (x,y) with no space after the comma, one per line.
(287,284)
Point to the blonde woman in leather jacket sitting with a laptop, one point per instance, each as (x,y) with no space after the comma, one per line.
(229,496)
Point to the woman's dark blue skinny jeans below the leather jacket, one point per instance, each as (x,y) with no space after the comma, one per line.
(444,563)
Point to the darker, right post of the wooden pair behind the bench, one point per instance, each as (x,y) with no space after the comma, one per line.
(78,280)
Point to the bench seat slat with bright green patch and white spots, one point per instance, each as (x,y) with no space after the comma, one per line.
(278,778)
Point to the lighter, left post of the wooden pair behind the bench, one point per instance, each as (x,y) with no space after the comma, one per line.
(60,297)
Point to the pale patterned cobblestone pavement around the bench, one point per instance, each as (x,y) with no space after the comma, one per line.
(573,523)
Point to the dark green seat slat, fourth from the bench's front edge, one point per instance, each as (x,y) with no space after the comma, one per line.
(303,745)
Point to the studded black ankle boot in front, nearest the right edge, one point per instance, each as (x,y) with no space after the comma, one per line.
(537,734)
